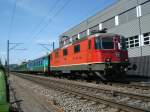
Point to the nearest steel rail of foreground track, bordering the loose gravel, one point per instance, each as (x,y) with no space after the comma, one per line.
(95,98)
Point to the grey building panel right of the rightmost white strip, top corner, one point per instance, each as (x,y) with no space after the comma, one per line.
(145,8)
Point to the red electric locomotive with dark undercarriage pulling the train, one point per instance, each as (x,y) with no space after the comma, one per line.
(103,55)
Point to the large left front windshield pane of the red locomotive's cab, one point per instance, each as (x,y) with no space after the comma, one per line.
(107,43)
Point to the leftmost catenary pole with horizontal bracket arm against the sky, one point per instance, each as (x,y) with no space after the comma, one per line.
(8,52)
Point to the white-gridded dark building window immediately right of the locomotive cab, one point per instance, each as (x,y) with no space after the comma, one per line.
(132,41)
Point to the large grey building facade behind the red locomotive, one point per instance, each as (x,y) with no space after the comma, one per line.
(130,18)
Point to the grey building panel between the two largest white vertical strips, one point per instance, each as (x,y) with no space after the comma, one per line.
(127,16)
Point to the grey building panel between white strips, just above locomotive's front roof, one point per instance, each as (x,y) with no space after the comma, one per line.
(110,23)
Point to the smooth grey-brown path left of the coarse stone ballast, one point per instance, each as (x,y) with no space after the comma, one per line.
(29,101)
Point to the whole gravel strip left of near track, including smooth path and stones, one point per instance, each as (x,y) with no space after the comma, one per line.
(36,98)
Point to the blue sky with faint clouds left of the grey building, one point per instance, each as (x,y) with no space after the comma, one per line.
(40,21)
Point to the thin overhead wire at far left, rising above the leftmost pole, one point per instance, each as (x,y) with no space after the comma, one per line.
(12,19)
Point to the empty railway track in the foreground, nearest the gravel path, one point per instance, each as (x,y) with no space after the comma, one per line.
(123,101)
